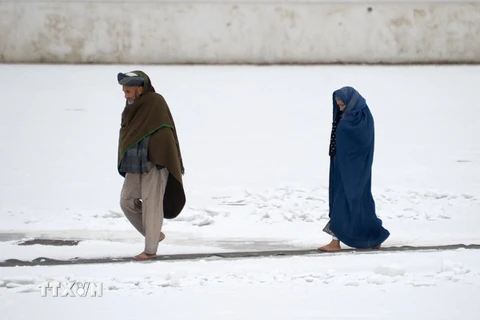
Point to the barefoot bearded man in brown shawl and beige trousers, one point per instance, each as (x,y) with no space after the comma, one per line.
(150,160)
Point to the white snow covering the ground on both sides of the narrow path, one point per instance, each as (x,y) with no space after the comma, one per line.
(255,146)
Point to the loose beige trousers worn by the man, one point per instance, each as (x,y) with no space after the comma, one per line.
(142,202)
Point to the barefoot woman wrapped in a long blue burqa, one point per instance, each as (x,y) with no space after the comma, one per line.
(353,219)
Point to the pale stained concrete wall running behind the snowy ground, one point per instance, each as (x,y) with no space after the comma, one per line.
(316,31)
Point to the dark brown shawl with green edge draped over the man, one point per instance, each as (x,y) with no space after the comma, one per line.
(150,116)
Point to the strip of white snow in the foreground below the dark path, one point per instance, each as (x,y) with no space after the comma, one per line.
(440,286)
